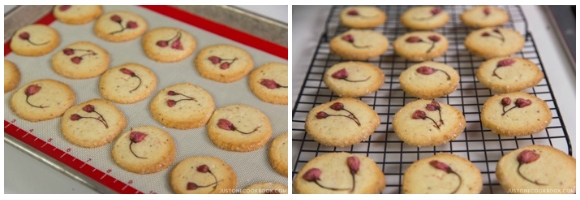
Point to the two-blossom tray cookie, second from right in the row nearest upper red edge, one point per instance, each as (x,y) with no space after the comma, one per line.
(223,63)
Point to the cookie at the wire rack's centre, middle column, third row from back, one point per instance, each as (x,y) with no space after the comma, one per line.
(428,80)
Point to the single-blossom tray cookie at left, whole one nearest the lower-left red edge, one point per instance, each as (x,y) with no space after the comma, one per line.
(42,100)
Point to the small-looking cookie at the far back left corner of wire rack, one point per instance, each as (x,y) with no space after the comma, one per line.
(362,17)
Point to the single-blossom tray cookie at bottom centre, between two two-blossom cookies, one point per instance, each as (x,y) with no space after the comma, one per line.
(144,150)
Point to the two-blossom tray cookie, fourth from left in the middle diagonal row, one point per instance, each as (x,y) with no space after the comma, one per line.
(182,106)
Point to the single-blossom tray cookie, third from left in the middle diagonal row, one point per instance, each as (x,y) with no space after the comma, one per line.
(127,83)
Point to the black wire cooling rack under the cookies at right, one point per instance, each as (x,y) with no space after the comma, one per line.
(478,144)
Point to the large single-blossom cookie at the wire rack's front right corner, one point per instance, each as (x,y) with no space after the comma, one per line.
(537,169)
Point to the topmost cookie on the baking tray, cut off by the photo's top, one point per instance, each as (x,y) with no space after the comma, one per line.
(76,14)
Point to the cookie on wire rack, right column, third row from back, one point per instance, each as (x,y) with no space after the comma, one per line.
(505,74)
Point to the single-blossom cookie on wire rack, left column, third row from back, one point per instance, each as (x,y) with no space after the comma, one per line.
(354,79)
